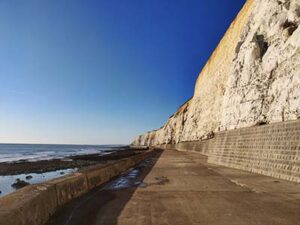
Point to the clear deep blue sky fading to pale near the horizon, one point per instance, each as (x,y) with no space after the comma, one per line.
(101,72)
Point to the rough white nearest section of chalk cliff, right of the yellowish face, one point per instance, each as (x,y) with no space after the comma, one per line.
(263,86)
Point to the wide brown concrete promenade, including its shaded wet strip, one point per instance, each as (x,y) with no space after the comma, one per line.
(180,188)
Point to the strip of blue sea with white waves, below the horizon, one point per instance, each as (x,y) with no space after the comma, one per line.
(34,152)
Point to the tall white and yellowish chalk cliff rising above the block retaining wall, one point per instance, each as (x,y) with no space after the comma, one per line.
(253,77)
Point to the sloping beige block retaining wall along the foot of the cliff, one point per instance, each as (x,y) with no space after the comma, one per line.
(272,150)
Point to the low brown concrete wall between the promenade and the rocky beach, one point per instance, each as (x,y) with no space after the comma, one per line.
(34,204)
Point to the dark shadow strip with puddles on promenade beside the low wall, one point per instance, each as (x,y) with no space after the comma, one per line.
(104,204)
